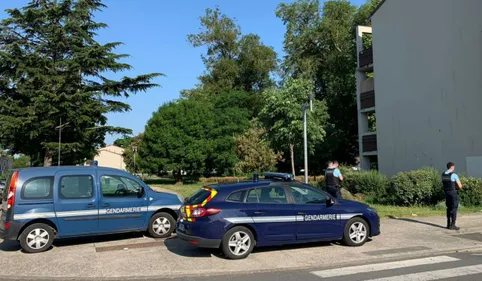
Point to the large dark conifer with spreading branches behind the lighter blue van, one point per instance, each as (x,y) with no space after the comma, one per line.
(52,68)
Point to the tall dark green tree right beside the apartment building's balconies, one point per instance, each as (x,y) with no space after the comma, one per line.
(319,45)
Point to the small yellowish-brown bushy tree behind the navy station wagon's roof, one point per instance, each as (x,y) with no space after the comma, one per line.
(254,152)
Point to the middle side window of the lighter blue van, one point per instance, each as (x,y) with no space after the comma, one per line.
(76,187)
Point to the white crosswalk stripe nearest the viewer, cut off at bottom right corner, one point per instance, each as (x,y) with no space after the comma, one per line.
(435,275)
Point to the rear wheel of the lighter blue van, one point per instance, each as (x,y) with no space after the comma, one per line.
(36,238)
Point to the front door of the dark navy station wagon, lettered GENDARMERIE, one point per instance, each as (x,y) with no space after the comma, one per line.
(315,220)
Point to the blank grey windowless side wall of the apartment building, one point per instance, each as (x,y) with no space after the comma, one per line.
(428,84)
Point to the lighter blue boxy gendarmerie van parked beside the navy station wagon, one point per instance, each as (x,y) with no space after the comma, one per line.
(41,204)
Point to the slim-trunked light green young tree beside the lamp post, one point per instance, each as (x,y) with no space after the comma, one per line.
(282,116)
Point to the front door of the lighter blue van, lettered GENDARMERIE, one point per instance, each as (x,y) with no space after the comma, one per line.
(123,203)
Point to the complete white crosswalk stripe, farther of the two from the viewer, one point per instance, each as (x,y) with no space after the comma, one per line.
(381,266)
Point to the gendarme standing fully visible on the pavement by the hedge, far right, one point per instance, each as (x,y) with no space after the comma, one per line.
(451,185)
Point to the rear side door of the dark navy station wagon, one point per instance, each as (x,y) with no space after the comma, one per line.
(275,217)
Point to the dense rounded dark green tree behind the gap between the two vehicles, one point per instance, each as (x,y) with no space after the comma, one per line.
(177,138)
